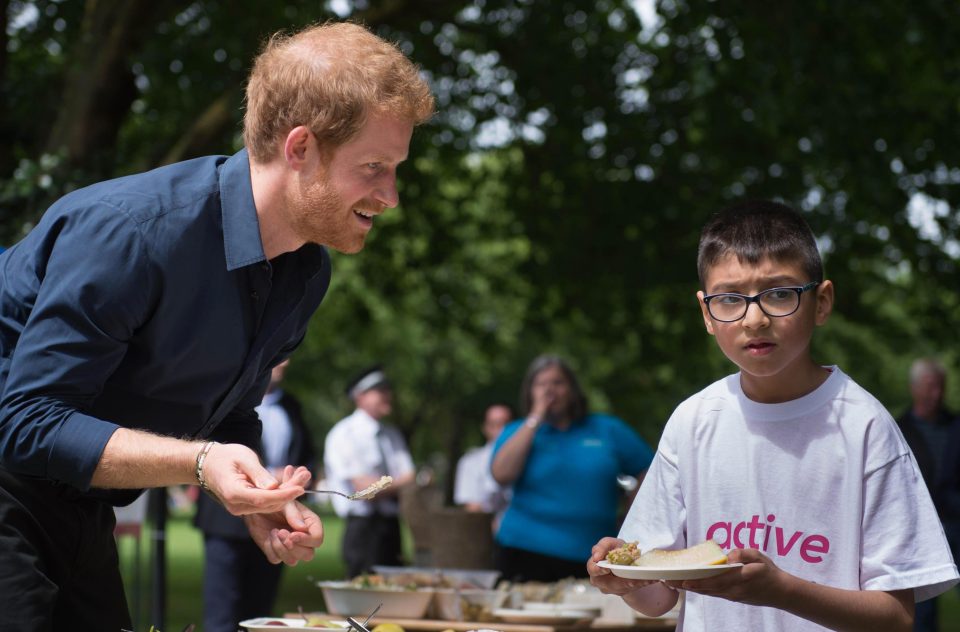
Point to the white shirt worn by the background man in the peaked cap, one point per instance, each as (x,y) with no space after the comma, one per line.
(359,445)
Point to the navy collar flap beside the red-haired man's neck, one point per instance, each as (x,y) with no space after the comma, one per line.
(241,229)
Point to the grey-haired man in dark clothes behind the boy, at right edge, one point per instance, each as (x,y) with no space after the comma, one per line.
(933,434)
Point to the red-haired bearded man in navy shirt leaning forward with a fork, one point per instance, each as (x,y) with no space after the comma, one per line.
(141,318)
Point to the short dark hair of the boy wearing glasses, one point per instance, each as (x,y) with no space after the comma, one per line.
(756,230)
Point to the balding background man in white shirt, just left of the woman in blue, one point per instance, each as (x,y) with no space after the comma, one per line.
(475,489)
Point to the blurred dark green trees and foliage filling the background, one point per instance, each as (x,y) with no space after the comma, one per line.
(554,203)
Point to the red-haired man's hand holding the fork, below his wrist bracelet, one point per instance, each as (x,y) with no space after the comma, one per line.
(235,476)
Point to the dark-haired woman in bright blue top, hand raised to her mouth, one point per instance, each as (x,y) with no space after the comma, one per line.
(563,465)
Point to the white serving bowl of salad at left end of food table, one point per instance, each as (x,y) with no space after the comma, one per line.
(347,600)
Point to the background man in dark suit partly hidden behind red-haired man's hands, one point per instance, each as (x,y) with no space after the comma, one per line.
(238,581)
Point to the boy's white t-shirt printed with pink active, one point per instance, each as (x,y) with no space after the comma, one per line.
(824,485)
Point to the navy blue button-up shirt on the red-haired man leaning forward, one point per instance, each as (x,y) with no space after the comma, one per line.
(145,302)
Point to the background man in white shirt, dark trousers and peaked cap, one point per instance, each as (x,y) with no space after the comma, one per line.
(358,450)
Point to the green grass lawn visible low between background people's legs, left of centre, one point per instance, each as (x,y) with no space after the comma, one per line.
(185,574)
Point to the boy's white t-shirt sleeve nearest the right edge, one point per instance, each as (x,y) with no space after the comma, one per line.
(903,542)
